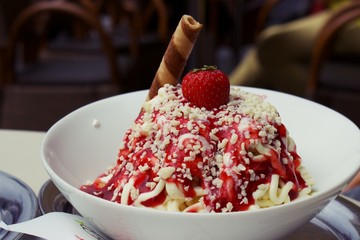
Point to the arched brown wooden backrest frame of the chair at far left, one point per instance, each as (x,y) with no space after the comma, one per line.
(71,9)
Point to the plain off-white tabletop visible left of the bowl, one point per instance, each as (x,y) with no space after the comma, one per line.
(20,156)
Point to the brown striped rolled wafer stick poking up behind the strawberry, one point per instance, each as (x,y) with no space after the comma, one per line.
(176,55)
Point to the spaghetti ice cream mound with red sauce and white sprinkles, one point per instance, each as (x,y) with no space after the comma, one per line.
(179,157)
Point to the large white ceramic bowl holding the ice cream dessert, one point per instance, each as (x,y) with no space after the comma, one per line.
(83,144)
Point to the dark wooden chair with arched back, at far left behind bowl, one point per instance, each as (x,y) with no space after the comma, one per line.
(37,96)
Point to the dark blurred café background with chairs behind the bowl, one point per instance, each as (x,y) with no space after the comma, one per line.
(58,55)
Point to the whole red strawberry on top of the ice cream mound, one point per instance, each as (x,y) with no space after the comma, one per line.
(206,87)
